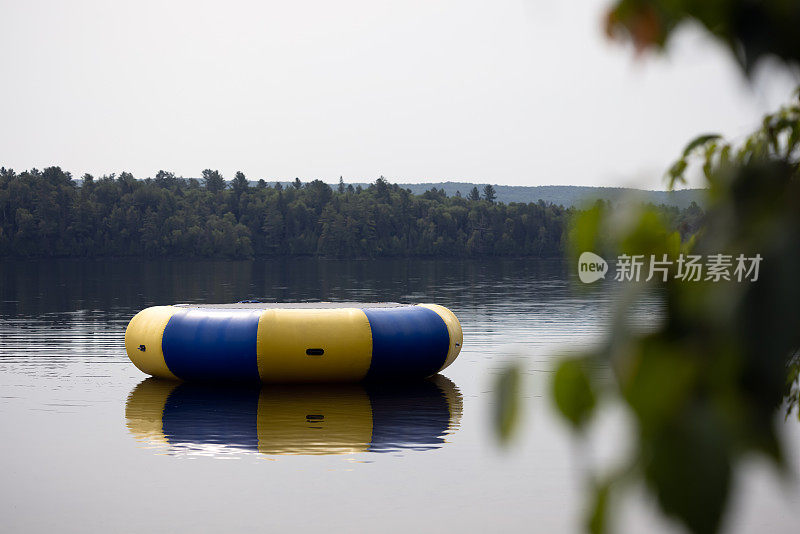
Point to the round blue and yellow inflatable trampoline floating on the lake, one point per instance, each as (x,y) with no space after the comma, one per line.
(300,342)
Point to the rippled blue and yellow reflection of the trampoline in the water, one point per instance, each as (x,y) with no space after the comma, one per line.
(187,418)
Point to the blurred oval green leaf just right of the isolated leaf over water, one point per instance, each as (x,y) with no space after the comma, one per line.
(572,392)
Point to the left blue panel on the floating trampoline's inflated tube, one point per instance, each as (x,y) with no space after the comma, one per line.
(219,345)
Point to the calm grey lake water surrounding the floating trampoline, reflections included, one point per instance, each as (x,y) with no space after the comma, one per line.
(91,445)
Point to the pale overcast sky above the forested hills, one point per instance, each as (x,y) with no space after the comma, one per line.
(501,91)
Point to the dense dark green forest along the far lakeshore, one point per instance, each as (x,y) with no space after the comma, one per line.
(47,213)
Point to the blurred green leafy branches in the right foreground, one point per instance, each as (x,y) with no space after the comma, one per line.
(710,384)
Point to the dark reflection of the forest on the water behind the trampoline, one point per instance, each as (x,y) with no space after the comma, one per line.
(119,288)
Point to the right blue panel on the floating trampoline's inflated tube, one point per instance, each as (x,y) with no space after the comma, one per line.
(406,342)
